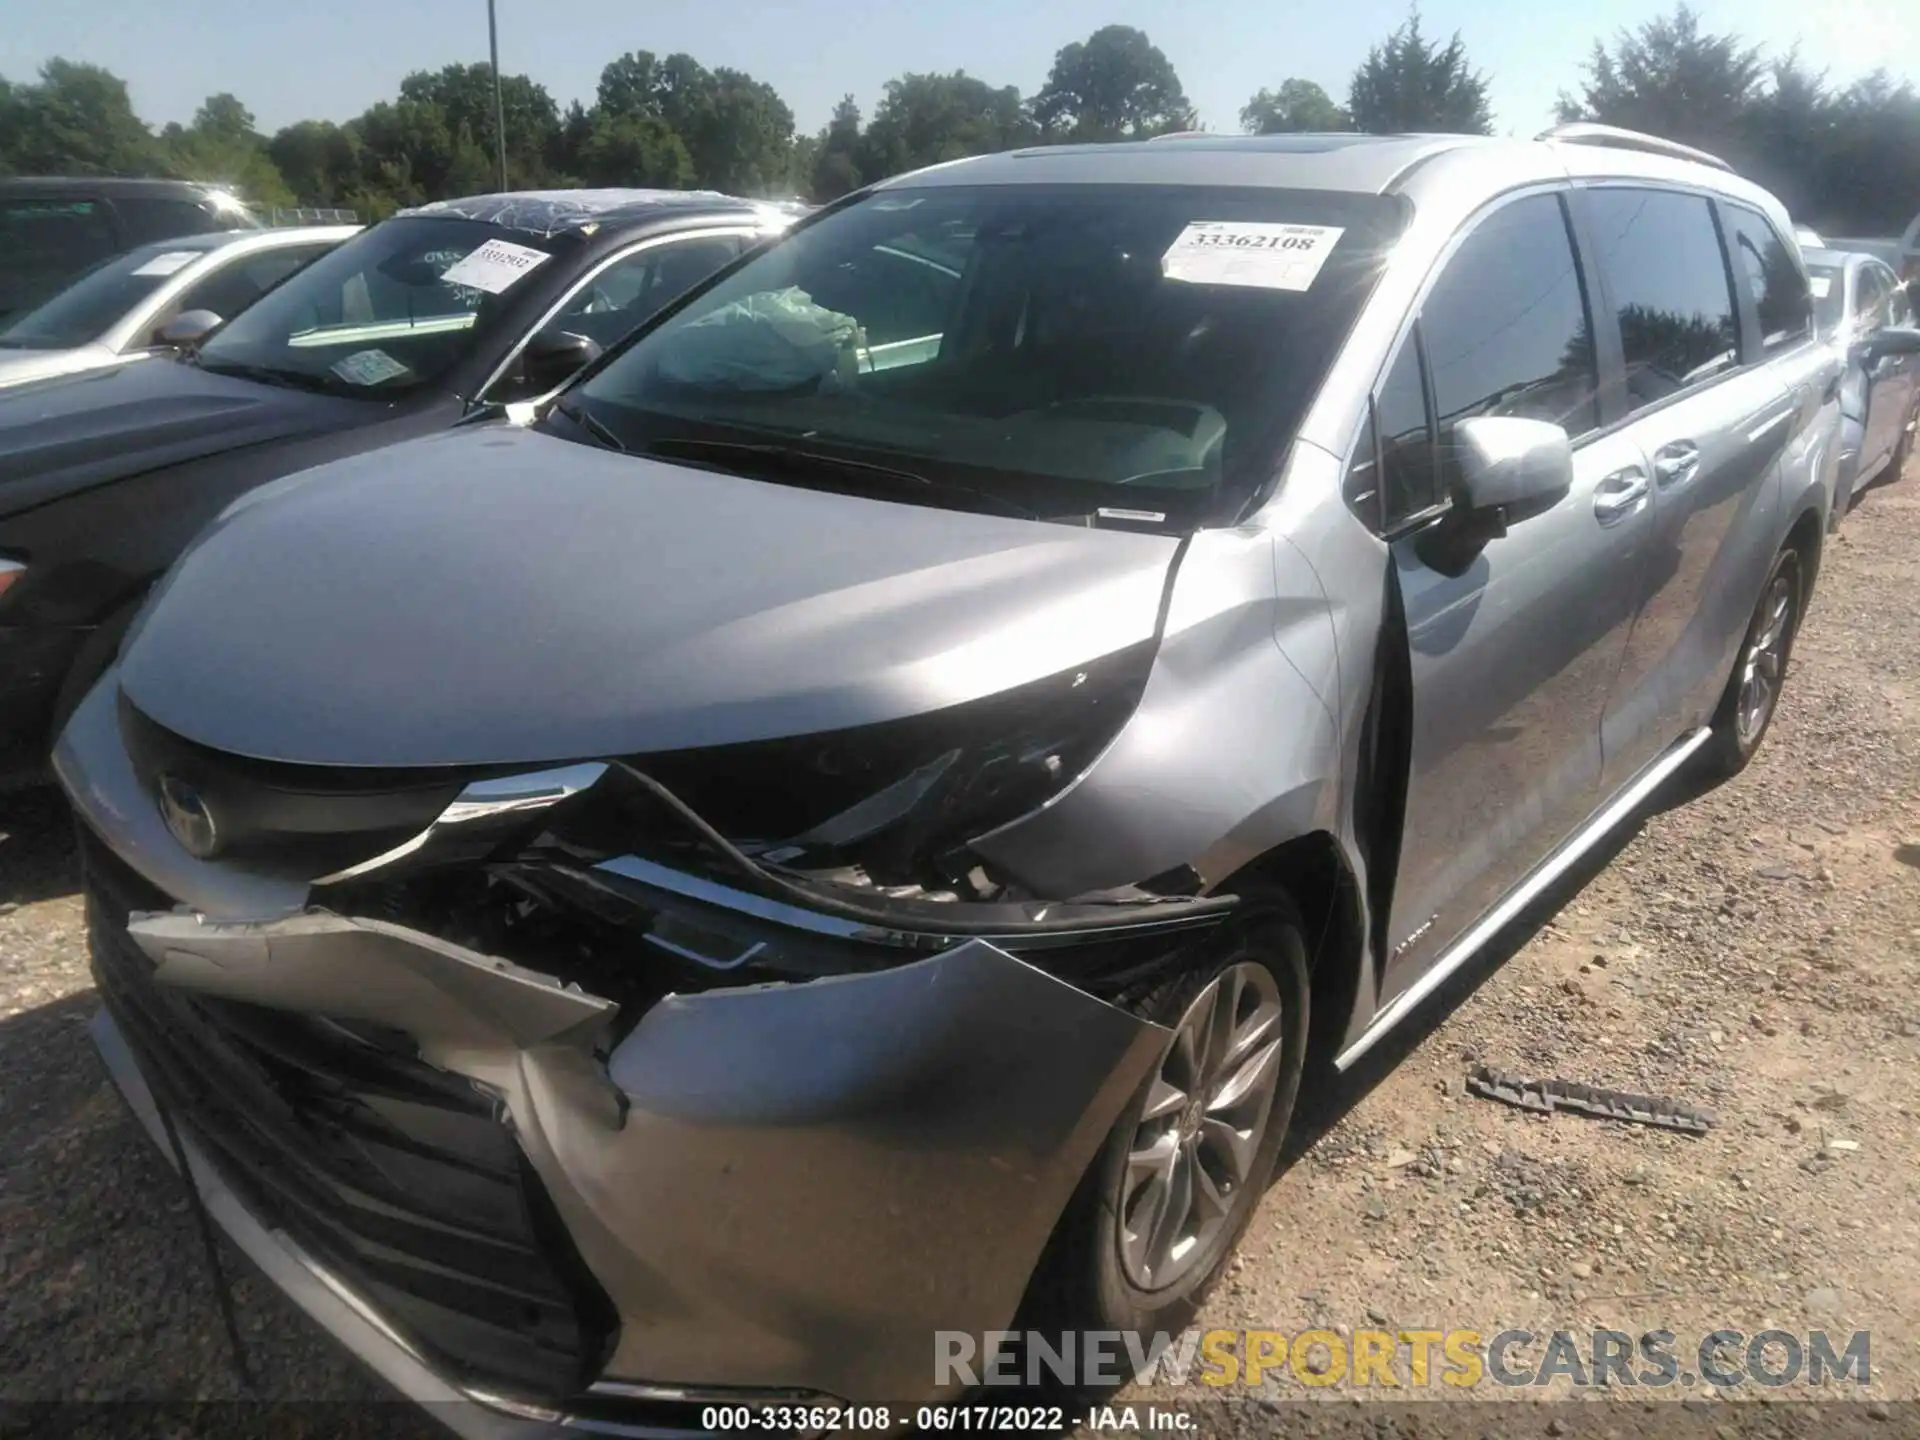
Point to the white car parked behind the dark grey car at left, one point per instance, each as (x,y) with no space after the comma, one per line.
(155,299)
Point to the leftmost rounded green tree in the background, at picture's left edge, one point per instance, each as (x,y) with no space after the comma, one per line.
(78,120)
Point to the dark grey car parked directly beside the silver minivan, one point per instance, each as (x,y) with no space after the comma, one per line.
(435,316)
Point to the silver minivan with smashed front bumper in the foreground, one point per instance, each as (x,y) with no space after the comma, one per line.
(859,815)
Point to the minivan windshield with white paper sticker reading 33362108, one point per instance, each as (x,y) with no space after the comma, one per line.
(1128,354)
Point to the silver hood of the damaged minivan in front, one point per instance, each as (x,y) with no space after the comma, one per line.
(500,596)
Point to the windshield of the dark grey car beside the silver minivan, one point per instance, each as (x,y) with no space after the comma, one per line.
(389,312)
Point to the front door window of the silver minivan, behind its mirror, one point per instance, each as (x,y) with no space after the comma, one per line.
(1506,325)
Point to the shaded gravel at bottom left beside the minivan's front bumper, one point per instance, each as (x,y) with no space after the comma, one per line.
(108,1320)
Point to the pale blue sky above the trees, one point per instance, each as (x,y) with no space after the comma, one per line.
(331,59)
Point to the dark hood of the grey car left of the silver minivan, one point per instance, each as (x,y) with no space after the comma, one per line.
(80,431)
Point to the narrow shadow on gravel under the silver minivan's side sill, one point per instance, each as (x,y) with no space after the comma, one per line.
(1328,1095)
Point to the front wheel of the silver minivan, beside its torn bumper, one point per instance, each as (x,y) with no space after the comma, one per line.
(1109,1268)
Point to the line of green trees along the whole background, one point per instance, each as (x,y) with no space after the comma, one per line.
(1846,158)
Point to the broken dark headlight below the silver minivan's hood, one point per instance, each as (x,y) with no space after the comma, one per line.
(892,805)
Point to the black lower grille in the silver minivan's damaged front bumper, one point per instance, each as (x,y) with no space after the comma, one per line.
(396,1176)
